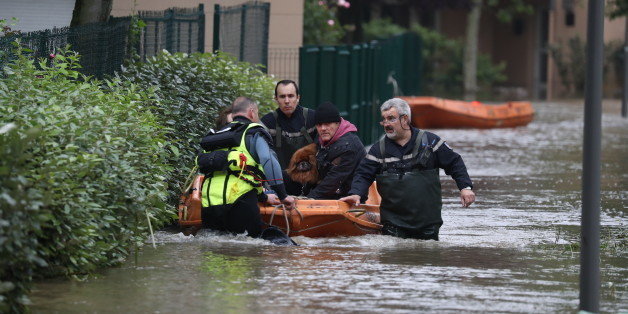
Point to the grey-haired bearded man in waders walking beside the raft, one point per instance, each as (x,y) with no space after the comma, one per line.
(405,164)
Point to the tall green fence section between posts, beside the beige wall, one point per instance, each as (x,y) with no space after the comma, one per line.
(242,31)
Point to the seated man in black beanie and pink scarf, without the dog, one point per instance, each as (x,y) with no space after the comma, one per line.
(339,153)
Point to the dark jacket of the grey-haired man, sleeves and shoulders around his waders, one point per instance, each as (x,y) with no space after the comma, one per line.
(443,157)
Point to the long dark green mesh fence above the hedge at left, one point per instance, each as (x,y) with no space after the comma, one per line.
(104,46)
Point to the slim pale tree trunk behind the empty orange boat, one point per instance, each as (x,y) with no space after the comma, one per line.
(471,51)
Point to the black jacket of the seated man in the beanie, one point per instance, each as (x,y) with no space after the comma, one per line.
(336,166)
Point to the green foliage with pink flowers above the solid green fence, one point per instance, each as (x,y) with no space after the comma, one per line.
(320,24)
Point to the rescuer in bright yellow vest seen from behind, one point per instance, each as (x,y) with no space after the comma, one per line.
(236,160)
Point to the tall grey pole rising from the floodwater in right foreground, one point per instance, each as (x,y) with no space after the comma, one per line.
(590,229)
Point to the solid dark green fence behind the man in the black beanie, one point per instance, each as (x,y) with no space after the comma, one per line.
(358,78)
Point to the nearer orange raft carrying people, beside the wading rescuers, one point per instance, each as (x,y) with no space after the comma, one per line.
(310,218)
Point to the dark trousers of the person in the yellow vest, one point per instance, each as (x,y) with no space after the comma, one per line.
(241,216)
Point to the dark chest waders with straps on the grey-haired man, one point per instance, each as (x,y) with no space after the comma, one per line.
(411,199)
